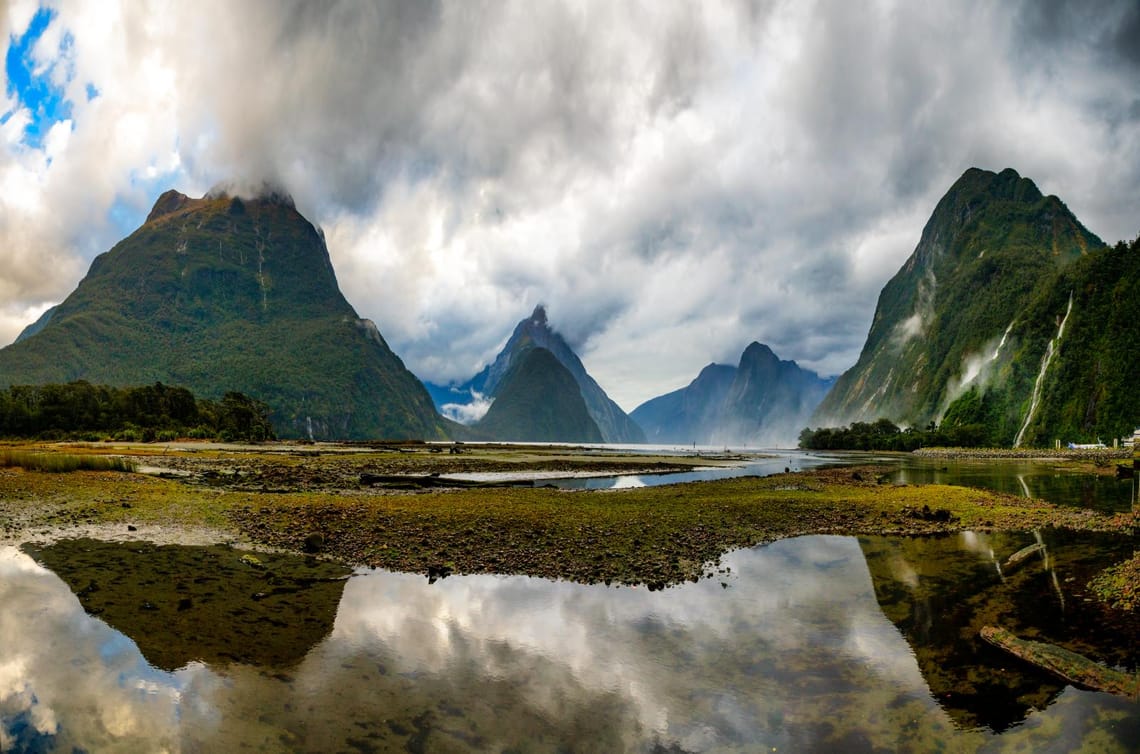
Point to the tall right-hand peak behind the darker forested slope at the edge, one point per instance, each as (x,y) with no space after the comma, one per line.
(948,322)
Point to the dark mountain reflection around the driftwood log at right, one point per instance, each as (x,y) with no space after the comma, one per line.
(940,596)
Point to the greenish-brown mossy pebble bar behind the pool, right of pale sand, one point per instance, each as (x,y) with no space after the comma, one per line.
(655,536)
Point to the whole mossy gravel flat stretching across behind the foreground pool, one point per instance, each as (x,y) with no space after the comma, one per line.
(311,501)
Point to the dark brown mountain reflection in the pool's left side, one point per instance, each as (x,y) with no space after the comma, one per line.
(181,604)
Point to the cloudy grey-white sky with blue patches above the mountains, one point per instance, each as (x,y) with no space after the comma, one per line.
(672,180)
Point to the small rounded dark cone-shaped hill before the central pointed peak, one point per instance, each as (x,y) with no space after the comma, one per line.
(539,400)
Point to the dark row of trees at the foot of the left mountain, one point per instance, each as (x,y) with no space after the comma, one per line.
(148,414)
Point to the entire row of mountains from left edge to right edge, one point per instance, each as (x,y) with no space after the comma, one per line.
(1009,319)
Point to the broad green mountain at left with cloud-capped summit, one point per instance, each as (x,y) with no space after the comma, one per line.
(223,294)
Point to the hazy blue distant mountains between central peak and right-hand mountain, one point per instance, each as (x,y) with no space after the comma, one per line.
(763,402)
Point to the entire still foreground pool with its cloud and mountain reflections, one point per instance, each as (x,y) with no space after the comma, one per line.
(818,644)
